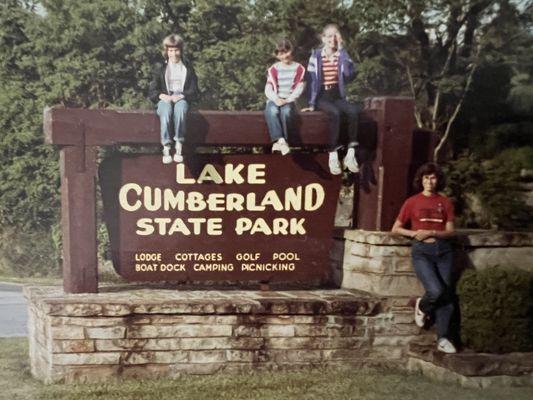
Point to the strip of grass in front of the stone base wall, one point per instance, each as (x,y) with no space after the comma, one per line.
(334,384)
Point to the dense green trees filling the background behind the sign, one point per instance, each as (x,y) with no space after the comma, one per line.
(100,53)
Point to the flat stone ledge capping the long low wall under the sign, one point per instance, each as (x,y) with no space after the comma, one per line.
(112,303)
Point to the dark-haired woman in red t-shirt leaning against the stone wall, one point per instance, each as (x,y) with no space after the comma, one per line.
(427,218)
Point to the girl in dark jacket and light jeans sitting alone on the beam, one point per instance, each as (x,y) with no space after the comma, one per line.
(174,85)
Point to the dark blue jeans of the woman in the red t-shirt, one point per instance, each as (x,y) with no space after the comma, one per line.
(433,264)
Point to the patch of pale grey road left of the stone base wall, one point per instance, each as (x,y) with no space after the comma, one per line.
(13,311)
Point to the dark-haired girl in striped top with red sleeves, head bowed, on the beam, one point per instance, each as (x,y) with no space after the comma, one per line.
(285,83)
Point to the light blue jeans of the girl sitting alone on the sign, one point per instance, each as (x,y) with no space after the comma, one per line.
(172,115)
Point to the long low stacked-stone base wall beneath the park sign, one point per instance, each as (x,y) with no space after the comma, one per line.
(153,333)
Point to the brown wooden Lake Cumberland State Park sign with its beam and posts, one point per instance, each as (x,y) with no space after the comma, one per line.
(219,217)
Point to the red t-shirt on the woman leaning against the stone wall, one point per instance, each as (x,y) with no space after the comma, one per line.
(426,212)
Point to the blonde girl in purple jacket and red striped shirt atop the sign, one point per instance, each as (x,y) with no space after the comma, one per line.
(329,69)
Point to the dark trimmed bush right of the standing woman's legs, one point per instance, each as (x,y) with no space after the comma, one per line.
(496,310)
